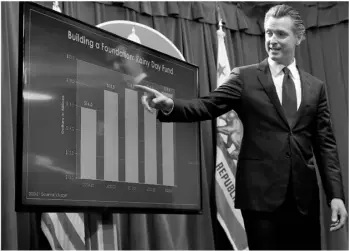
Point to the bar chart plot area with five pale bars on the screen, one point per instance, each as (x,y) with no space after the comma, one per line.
(119,140)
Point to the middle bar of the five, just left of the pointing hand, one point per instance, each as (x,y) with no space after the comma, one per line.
(131,135)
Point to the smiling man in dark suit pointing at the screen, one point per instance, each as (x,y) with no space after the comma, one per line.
(286,120)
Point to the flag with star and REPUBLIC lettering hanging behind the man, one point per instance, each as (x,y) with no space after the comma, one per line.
(229,135)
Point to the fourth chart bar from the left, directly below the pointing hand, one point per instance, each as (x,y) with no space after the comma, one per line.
(150,163)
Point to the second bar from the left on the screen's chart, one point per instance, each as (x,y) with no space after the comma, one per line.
(111,136)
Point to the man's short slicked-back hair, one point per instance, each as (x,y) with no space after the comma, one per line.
(284,10)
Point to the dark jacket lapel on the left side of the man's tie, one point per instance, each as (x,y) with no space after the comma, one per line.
(265,78)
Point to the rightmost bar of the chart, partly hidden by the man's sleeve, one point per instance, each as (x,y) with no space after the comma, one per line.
(168,152)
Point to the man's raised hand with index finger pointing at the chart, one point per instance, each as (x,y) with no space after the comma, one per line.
(153,99)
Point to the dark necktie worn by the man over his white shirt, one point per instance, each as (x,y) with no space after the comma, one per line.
(289,98)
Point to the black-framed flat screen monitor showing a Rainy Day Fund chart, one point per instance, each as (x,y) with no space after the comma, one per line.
(85,142)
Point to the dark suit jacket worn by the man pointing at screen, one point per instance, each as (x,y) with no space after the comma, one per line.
(272,149)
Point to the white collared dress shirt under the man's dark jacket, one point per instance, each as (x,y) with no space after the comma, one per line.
(278,76)
